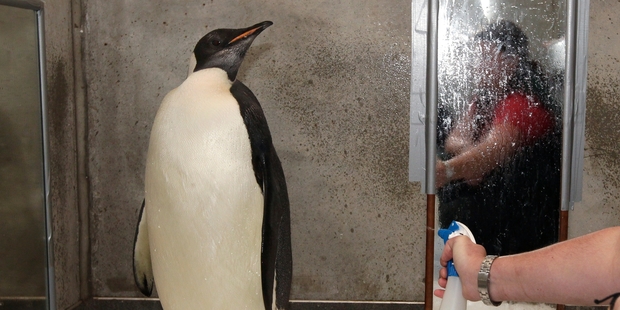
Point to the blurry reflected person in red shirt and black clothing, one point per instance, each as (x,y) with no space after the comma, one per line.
(500,174)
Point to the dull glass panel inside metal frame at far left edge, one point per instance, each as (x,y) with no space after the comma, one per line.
(22,205)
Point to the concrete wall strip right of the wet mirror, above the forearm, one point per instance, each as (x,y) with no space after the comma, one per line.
(600,206)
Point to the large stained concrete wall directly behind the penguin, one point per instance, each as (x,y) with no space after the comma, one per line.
(333,78)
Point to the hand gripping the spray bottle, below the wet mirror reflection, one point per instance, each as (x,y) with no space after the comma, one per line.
(467,257)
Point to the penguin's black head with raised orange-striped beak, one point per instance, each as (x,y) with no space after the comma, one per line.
(225,48)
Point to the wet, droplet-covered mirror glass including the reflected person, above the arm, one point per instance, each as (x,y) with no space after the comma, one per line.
(499,135)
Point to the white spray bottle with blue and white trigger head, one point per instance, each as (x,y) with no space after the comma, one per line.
(453,297)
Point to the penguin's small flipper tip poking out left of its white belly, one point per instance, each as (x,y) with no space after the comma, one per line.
(142,269)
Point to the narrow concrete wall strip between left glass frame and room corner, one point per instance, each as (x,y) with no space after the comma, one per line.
(61,89)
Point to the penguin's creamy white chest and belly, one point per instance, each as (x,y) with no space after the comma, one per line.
(204,207)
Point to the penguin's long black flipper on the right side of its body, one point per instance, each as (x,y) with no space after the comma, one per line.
(276,253)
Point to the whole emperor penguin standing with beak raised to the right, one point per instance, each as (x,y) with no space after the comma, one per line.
(214,228)
